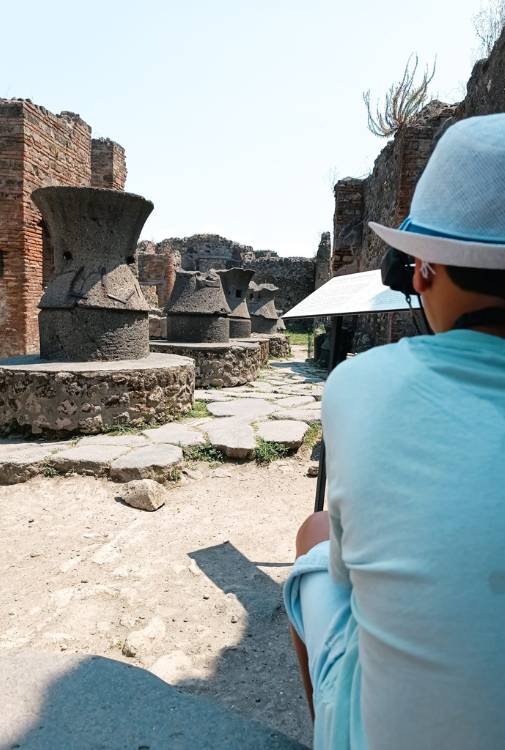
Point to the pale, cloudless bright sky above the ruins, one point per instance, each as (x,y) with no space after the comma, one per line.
(237,115)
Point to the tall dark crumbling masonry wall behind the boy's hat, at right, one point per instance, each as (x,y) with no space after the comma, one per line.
(386,194)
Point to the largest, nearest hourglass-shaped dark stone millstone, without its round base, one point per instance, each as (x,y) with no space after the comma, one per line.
(93,307)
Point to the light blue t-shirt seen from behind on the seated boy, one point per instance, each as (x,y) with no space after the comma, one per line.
(415,439)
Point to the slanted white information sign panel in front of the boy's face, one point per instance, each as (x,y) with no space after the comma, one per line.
(349,295)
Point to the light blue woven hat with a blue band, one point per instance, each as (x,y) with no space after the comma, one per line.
(457,216)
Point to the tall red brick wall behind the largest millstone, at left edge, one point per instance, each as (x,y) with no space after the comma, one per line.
(37,148)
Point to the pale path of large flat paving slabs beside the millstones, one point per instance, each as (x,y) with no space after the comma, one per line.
(279,407)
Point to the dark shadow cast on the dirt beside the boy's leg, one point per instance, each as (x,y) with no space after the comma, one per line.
(250,676)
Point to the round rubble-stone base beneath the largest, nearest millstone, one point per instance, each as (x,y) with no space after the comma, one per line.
(64,398)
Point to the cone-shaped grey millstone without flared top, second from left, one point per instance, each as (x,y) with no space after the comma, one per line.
(197,311)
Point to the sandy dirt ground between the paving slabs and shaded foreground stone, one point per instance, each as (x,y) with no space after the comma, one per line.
(200,579)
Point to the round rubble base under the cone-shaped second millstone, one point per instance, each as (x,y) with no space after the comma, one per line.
(218,365)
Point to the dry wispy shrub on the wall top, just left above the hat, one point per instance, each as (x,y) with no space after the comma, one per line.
(403,101)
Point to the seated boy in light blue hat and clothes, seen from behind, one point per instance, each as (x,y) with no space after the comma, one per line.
(397,596)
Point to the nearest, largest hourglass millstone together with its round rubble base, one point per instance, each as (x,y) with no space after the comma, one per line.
(95,369)
